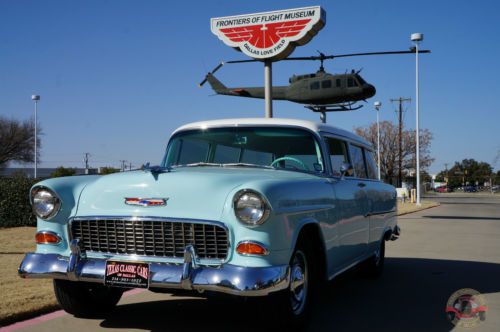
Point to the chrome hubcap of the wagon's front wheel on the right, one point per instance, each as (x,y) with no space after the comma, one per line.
(298,282)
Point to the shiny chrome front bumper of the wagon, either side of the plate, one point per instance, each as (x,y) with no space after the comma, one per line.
(226,278)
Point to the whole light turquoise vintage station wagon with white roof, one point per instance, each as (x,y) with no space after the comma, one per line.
(248,207)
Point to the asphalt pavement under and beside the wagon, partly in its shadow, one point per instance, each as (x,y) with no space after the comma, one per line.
(442,250)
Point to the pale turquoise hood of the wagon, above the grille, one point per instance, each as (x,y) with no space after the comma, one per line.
(191,192)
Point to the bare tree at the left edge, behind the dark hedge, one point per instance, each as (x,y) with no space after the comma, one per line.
(17,141)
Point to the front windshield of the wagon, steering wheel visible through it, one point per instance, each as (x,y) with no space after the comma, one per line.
(284,148)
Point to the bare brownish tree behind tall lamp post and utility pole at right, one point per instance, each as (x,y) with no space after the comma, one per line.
(389,148)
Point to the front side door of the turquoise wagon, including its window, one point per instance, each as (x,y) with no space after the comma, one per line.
(350,221)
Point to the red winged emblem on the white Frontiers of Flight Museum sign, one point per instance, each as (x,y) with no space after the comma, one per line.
(265,35)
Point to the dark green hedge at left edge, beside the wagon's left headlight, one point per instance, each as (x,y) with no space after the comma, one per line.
(15,208)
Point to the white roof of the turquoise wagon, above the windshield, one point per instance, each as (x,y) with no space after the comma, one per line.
(278,122)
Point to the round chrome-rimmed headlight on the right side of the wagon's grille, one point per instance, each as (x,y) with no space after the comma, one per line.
(250,208)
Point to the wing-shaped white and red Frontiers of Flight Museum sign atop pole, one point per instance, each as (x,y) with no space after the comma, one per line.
(270,35)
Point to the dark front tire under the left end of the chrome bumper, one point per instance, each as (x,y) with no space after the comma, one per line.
(83,299)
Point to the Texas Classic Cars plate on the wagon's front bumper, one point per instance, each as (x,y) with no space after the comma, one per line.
(127,274)
